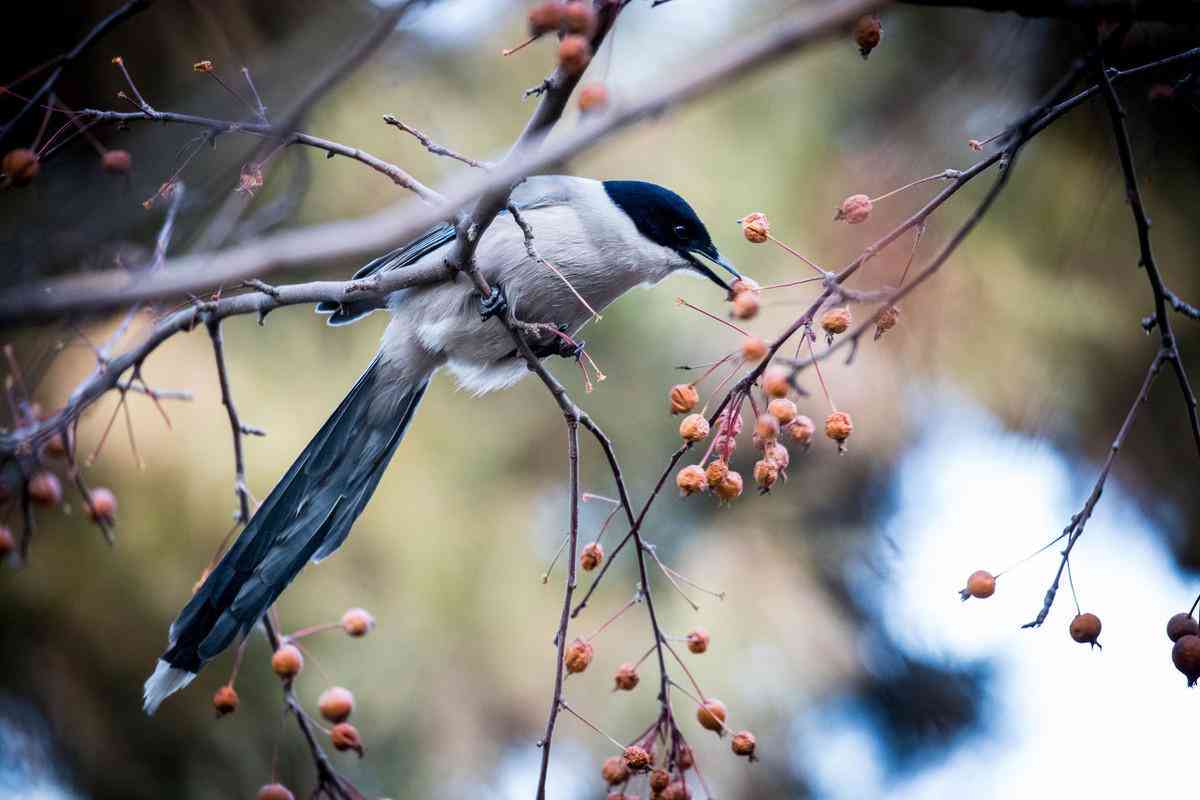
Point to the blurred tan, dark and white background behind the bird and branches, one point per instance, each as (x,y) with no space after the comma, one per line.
(981,423)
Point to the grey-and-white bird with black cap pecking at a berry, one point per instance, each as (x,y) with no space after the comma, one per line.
(605,238)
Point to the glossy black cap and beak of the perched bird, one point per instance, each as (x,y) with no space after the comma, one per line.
(665,219)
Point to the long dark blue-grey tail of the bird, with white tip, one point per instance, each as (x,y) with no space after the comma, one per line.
(305,518)
